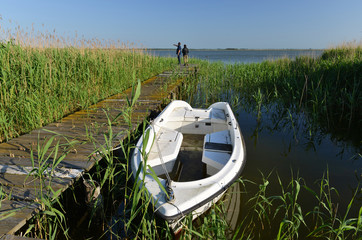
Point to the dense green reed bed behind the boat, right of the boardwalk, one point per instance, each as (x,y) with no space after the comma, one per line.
(327,89)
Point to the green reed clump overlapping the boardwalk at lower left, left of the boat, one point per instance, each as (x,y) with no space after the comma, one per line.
(50,218)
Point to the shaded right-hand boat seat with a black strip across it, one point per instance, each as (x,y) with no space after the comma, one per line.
(217,151)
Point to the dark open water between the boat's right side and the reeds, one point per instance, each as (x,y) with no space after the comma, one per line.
(285,143)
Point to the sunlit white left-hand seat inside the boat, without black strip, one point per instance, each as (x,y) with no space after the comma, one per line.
(169,142)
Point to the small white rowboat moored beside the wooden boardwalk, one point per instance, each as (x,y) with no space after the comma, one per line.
(223,158)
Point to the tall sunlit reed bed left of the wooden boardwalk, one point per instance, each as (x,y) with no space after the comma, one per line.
(41,85)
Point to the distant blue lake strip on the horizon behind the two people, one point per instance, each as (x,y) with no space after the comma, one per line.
(240,56)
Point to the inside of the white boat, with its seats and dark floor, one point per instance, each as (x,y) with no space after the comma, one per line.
(193,144)
